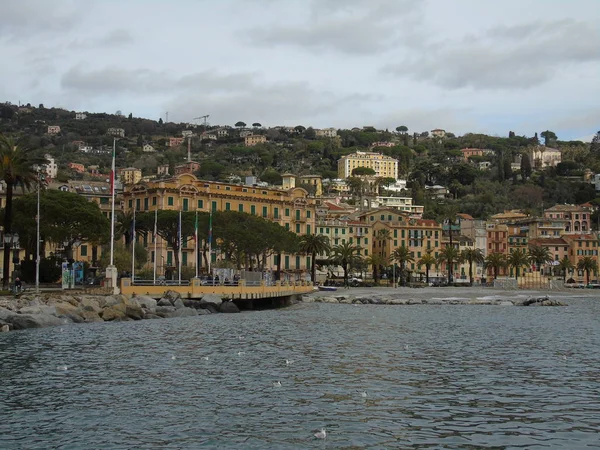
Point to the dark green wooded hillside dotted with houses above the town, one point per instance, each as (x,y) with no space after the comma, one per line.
(507,175)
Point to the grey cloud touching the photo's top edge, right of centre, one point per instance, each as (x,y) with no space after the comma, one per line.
(352,27)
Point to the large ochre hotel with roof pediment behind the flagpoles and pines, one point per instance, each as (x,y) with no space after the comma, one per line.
(292,209)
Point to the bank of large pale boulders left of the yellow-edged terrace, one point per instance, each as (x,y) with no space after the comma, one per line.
(44,310)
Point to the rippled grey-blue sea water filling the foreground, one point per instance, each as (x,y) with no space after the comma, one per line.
(434,377)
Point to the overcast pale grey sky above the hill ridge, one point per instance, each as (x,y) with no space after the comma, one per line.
(463,65)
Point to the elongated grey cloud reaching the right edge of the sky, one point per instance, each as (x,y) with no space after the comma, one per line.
(520,56)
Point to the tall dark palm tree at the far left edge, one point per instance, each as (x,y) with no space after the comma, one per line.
(17,168)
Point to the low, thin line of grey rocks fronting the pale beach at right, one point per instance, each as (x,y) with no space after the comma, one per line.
(395,299)
